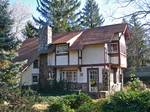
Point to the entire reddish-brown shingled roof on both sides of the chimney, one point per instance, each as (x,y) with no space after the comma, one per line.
(103,34)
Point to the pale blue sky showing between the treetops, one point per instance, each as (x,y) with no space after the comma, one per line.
(108,8)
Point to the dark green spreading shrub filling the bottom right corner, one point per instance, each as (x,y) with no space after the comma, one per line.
(130,101)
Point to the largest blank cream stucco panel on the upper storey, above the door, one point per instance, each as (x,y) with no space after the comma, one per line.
(93,54)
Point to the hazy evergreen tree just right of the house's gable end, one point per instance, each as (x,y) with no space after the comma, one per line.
(138,51)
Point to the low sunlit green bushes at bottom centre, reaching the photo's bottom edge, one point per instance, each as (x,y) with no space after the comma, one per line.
(70,103)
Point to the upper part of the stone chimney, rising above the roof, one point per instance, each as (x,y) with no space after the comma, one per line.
(45,38)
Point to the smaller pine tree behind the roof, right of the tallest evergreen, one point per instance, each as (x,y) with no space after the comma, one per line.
(90,15)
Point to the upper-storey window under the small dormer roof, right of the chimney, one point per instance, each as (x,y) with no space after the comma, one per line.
(62,49)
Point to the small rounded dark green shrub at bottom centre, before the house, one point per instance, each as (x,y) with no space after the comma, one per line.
(75,101)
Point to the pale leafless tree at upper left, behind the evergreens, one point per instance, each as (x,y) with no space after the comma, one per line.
(21,14)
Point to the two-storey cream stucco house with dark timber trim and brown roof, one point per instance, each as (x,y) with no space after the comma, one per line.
(91,60)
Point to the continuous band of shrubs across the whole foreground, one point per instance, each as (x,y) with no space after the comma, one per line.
(135,98)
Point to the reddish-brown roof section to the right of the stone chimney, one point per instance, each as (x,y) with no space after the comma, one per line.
(101,34)
